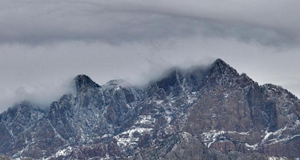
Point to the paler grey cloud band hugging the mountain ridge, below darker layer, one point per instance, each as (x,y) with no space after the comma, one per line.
(41,73)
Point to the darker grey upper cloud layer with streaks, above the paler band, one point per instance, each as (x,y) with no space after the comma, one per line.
(133,21)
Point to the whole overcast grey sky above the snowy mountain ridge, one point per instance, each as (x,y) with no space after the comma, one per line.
(44,44)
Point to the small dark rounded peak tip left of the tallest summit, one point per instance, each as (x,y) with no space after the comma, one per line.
(83,81)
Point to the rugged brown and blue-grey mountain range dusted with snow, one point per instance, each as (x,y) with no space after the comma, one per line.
(201,113)
